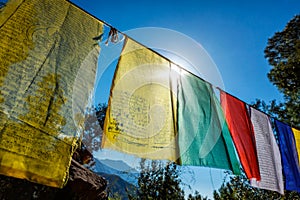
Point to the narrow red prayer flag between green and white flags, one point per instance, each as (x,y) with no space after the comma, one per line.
(242,133)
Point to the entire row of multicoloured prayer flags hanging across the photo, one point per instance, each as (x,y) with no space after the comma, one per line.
(49,55)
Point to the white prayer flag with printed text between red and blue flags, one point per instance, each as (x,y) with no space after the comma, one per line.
(269,158)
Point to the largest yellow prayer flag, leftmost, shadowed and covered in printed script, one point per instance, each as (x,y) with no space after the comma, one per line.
(48,63)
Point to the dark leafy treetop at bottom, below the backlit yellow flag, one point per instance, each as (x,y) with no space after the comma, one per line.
(158,182)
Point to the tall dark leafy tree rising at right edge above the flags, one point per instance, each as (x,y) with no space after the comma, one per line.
(283,54)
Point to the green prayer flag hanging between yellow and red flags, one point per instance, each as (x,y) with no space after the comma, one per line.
(204,138)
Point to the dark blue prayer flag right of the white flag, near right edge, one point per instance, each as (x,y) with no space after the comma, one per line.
(289,156)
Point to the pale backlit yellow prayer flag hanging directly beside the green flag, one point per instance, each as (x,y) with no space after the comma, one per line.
(140,117)
